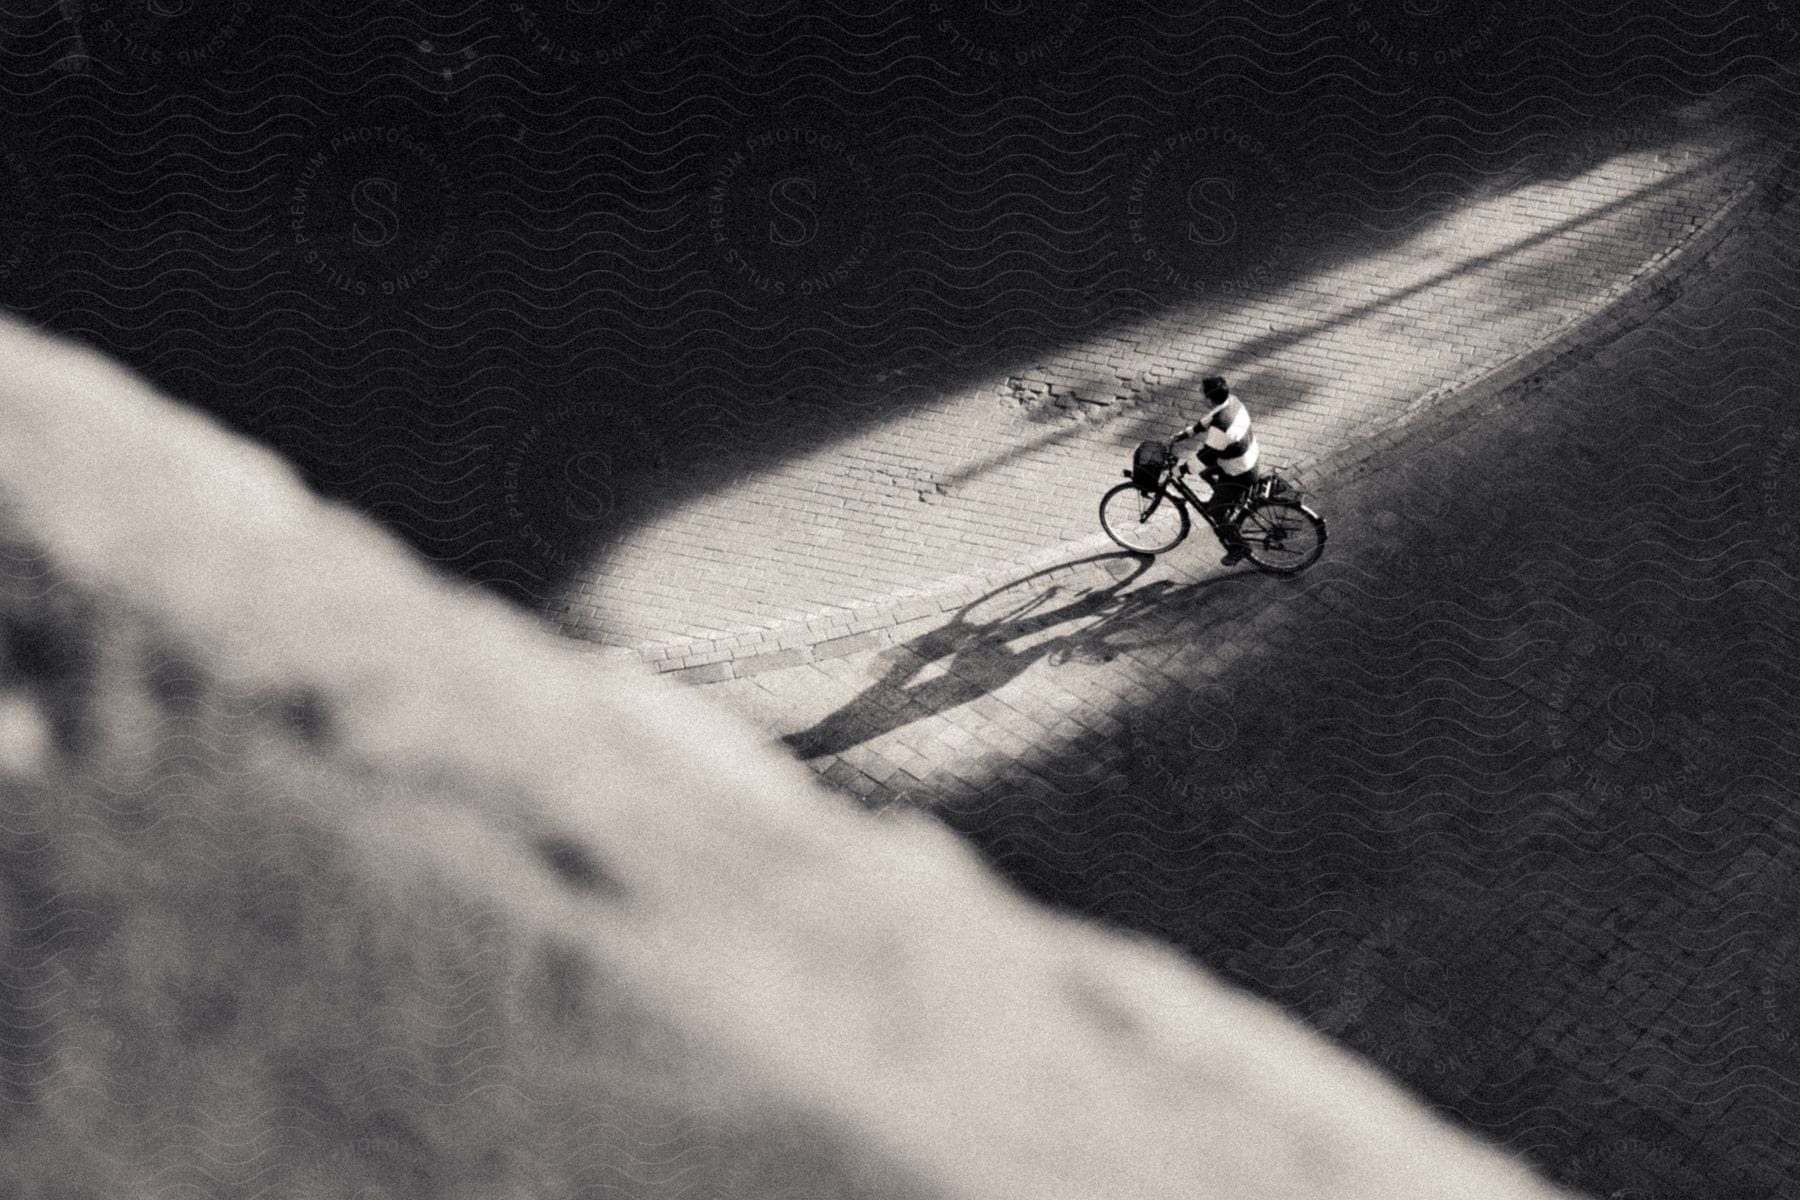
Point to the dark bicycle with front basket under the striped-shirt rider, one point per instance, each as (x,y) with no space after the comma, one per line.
(1149,515)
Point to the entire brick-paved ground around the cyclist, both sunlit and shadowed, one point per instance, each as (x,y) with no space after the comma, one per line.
(793,346)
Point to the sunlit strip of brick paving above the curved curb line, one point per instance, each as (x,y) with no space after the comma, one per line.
(814,546)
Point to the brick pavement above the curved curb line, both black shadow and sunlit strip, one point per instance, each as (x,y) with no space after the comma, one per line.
(696,328)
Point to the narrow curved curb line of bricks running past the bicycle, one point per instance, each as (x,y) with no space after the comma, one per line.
(836,634)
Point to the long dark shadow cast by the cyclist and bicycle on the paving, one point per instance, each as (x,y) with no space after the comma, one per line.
(1000,636)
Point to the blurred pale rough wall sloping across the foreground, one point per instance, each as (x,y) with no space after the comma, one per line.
(328,879)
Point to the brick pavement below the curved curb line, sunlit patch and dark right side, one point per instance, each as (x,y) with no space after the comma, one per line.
(1500,794)
